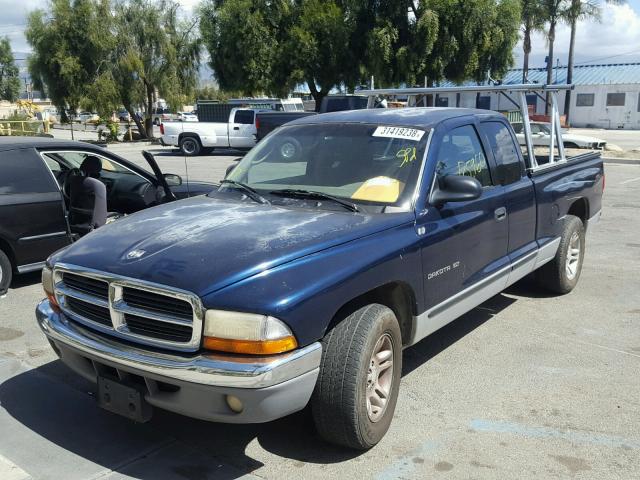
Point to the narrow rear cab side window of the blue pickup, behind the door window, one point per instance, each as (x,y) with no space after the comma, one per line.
(504,150)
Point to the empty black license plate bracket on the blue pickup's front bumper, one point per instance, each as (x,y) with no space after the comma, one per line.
(124,399)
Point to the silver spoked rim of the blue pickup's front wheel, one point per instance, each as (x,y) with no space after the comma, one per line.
(379,378)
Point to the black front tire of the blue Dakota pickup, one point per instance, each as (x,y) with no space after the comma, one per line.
(339,403)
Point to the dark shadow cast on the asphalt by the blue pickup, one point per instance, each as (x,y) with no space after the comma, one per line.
(68,423)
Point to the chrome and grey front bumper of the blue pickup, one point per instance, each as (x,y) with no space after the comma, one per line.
(192,385)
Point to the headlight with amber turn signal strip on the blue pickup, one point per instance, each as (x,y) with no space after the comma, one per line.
(246,333)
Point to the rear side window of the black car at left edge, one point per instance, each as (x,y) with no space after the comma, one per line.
(23,171)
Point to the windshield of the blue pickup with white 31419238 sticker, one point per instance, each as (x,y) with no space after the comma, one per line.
(364,163)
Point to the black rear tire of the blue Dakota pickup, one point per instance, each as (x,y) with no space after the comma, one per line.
(556,275)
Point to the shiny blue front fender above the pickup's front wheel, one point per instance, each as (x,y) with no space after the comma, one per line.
(308,292)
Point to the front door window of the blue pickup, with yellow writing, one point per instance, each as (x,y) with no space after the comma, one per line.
(461,153)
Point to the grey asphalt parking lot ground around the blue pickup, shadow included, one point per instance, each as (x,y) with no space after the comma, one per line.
(527,385)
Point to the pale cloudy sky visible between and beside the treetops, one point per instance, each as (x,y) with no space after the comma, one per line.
(615,39)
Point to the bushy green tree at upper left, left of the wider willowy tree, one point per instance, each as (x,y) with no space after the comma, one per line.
(71,45)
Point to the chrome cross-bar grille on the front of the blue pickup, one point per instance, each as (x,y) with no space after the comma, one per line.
(137,311)
